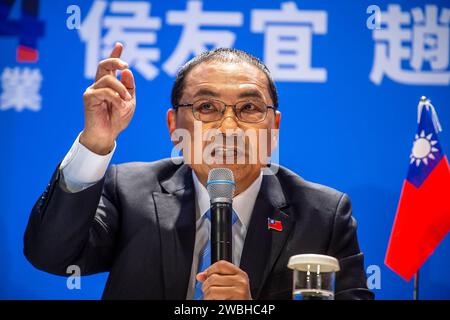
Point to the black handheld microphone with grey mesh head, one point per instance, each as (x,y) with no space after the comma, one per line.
(221,188)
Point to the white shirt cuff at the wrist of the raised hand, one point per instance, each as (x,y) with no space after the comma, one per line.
(81,168)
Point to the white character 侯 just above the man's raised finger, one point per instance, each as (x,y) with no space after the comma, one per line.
(129,23)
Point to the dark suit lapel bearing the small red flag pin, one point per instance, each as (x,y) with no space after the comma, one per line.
(263,245)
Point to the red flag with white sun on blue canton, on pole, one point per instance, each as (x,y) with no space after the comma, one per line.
(423,214)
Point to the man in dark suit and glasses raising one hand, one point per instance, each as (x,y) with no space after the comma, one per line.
(145,223)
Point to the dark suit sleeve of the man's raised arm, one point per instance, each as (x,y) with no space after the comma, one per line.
(74,228)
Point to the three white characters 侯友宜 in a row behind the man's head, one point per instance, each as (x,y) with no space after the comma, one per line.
(287,47)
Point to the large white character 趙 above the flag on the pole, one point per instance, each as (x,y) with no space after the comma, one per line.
(412,40)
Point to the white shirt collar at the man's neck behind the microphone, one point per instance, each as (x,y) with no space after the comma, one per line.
(243,203)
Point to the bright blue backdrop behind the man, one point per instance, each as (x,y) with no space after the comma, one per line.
(348,97)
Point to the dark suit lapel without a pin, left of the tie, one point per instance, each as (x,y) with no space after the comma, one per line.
(176,217)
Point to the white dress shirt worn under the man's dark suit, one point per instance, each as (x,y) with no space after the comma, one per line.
(82,168)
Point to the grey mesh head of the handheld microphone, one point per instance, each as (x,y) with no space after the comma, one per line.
(220,185)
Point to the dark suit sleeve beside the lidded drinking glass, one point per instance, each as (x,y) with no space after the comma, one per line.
(351,279)
